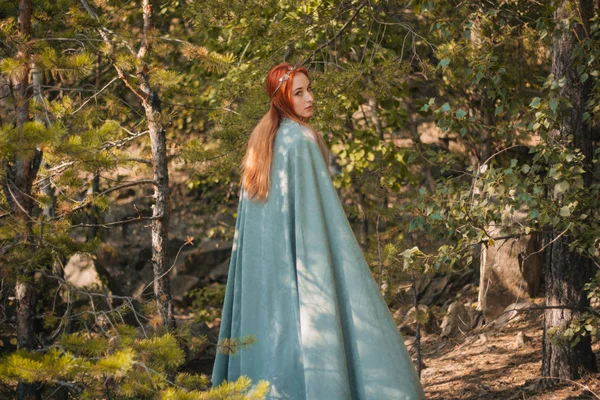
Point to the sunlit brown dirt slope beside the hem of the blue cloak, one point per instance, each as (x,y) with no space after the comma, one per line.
(489,364)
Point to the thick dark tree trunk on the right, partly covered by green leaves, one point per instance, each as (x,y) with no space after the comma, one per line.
(566,272)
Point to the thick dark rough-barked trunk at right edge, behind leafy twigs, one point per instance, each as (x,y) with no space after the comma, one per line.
(567,271)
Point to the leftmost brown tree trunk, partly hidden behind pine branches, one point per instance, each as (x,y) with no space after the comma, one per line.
(20,174)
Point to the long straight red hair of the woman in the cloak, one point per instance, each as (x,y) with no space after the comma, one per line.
(256,165)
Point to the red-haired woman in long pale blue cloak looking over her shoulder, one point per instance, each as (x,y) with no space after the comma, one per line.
(298,280)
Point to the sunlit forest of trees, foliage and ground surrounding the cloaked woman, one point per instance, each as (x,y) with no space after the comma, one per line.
(465,141)
